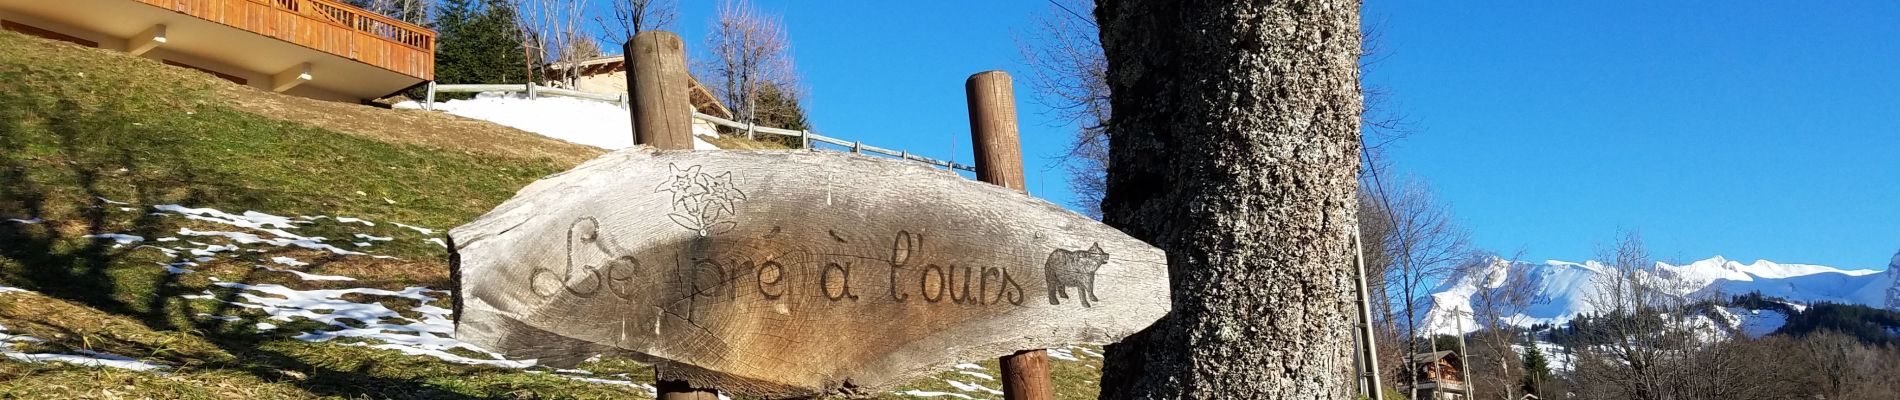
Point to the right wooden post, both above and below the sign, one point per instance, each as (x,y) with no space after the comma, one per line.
(993,130)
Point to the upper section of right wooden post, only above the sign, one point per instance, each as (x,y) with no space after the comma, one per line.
(993,126)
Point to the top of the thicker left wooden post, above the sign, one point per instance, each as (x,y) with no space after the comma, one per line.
(660,107)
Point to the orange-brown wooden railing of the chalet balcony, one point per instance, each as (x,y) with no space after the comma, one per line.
(326,26)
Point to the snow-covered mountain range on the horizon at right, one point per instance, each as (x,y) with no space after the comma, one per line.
(1567,289)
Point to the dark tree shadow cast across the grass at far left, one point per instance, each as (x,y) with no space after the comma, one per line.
(64,162)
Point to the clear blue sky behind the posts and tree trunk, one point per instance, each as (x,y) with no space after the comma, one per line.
(1749,132)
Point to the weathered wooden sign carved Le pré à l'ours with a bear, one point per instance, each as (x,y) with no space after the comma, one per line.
(791,274)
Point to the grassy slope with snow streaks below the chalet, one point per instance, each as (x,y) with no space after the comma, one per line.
(86,124)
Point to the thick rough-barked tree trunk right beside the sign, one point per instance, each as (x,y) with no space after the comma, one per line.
(1234,149)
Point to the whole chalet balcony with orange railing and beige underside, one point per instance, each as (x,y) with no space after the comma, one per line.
(314,48)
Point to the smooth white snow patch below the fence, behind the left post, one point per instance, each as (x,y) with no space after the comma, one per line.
(575,120)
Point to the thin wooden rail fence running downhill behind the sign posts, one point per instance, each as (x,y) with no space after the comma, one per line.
(805,137)
